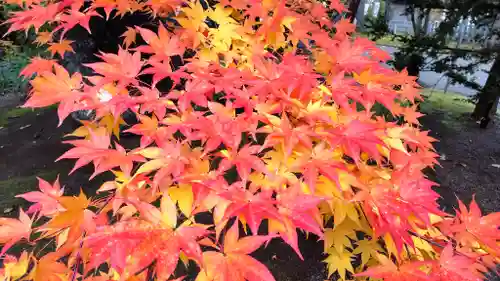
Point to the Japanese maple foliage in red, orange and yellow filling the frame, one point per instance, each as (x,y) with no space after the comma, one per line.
(268,128)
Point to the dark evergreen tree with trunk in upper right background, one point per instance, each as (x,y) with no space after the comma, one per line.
(446,57)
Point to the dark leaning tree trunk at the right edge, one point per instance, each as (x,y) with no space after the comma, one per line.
(488,97)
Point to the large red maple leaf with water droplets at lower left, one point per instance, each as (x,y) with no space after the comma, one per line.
(144,243)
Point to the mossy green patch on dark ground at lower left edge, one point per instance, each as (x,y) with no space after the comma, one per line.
(18,185)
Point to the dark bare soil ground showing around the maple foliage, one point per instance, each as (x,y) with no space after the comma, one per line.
(30,141)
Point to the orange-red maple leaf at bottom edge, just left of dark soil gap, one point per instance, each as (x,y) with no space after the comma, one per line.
(234,263)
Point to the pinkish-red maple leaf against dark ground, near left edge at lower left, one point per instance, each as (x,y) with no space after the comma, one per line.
(46,201)
